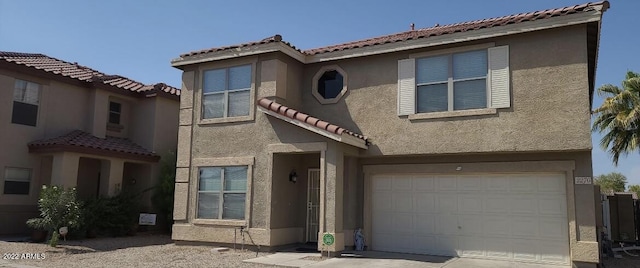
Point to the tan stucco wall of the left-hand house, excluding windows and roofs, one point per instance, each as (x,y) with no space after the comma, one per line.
(63,108)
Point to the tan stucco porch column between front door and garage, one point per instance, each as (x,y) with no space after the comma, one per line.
(331,201)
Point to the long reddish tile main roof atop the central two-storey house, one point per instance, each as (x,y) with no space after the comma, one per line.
(436,30)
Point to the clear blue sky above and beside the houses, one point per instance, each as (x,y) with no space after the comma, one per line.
(137,39)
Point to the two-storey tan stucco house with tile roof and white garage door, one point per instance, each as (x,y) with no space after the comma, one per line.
(456,140)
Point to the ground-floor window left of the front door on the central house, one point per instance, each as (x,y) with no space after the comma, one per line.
(222,192)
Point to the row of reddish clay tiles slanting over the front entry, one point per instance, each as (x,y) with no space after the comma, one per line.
(307,119)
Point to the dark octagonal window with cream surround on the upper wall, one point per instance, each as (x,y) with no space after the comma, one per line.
(329,84)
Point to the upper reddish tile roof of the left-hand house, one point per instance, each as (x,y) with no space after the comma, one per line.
(82,73)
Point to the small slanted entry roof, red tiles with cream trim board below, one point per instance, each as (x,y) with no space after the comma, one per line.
(313,124)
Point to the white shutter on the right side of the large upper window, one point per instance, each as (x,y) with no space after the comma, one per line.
(499,77)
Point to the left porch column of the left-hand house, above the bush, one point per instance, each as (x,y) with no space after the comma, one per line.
(64,171)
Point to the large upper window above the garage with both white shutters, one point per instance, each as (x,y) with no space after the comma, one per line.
(472,79)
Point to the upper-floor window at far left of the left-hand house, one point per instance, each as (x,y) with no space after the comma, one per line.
(26,100)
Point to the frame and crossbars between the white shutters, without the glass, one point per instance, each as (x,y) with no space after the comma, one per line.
(450,82)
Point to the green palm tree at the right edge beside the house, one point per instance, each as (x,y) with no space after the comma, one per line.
(619,116)
